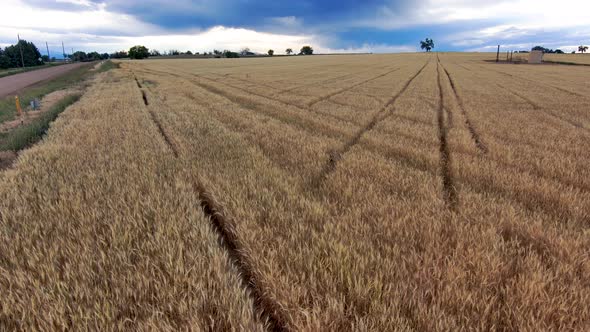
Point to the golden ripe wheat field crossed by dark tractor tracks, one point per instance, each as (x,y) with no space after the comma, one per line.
(416,192)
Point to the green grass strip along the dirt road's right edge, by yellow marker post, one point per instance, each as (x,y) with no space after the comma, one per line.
(74,77)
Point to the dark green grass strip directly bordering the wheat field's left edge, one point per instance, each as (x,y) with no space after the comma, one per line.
(31,133)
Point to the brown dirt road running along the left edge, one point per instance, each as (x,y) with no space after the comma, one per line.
(11,84)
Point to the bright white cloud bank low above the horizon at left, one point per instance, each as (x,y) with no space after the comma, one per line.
(94,28)
